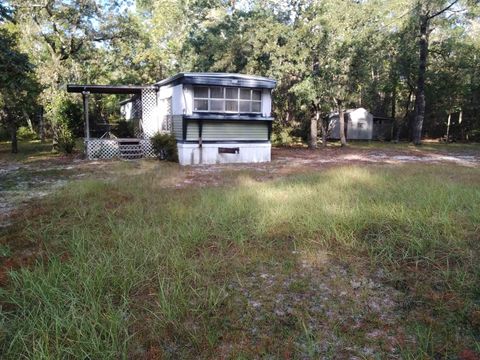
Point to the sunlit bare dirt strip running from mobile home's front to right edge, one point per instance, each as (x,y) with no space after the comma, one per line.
(289,161)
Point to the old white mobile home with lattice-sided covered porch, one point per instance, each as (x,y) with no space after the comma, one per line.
(215,118)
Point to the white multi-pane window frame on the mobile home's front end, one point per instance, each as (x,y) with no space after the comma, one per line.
(209,100)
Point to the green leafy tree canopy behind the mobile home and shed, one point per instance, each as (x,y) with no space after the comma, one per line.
(415,61)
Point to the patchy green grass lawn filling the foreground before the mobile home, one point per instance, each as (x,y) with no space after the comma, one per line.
(350,261)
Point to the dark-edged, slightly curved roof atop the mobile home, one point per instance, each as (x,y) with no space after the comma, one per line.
(222,79)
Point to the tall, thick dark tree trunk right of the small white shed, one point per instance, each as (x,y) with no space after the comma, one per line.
(420,94)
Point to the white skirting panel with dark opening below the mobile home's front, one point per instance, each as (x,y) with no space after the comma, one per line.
(192,154)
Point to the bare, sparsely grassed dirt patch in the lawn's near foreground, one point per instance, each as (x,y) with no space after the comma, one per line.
(321,308)
